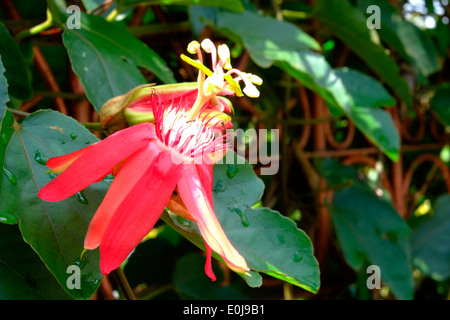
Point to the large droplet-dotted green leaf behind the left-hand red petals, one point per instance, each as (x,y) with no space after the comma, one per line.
(55,230)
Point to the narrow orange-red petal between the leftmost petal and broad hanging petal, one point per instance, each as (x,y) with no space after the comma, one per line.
(127,177)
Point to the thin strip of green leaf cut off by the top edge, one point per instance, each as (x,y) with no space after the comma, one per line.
(234,5)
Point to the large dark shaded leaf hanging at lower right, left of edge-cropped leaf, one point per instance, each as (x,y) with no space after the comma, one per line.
(370,231)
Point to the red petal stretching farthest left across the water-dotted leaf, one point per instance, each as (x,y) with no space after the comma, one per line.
(97,162)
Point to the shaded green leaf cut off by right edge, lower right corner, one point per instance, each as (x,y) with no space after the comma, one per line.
(430,241)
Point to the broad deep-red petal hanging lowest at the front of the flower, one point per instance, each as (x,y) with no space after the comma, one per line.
(139,211)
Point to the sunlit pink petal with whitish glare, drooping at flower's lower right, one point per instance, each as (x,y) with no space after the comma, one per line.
(197,200)
